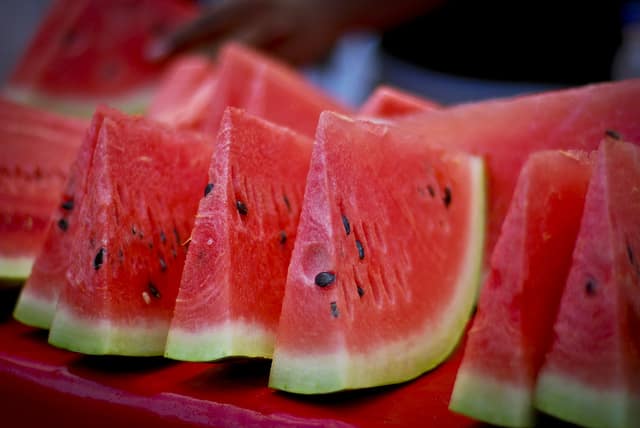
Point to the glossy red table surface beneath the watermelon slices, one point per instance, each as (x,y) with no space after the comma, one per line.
(41,385)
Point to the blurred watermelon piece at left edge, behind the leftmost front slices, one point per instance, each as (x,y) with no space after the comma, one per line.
(36,152)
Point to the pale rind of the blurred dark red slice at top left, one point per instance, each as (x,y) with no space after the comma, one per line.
(133,102)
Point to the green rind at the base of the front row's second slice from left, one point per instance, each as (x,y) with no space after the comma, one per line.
(102,337)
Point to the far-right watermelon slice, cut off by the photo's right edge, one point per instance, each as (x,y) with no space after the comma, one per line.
(591,375)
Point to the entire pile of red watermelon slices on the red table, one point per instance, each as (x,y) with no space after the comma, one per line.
(248,214)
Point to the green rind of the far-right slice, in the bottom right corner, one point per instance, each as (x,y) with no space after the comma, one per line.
(569,399)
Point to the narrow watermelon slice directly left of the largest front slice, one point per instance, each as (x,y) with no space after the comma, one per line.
(233,283)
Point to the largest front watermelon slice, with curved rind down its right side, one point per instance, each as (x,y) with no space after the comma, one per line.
(386,266)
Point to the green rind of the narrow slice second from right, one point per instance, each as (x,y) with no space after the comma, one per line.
(489,400)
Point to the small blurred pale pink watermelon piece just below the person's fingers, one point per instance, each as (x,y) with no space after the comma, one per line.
(184,92)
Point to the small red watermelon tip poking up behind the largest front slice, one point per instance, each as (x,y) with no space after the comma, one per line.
(391,103)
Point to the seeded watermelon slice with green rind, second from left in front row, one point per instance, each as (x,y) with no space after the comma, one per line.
(127,253)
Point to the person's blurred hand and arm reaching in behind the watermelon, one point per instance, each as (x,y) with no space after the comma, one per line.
(298,31)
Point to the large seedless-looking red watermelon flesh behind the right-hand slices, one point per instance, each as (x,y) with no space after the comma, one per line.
(506,131)
